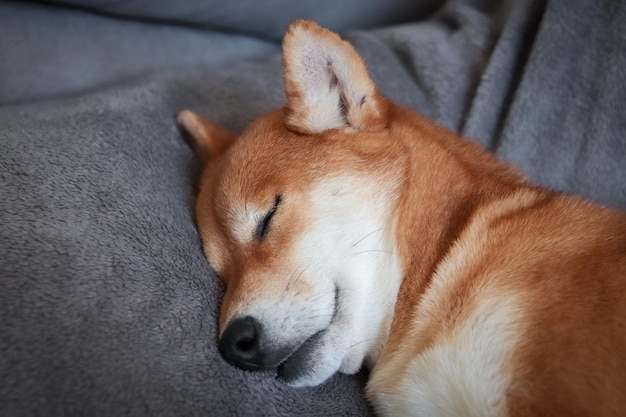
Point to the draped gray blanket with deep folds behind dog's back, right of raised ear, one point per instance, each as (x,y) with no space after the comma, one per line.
(542,86)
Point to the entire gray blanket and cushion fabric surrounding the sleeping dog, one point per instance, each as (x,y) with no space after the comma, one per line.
(107,305)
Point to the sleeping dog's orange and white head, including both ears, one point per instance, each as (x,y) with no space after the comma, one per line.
(296,217)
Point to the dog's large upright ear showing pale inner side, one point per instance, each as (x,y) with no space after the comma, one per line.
(327,83)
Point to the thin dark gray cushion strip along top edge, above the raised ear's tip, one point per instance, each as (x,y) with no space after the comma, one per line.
(267,18)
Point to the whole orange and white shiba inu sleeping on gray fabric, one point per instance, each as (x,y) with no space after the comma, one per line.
(351,230)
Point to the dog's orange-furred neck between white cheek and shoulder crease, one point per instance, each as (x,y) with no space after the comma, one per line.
(446,179)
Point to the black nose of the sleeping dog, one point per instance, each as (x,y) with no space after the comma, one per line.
(241,344)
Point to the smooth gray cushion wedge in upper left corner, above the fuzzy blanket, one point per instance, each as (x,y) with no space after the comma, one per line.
(48,51)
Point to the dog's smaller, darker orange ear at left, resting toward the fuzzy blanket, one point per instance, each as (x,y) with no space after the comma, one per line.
(206,139)
